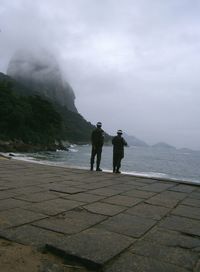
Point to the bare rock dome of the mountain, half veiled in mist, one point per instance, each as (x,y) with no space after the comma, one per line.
(39,71)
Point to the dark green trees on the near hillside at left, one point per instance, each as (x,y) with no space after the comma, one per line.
(27,118)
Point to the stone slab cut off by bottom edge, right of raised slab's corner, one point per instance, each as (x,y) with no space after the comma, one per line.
(129,262)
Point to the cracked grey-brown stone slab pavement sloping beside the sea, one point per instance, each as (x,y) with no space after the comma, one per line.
(108,222)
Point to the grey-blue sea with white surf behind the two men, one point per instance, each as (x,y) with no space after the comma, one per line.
(161,163)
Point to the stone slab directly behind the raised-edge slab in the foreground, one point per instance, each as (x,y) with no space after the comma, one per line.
(126,224)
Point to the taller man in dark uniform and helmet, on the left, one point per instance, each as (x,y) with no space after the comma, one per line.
(97,139)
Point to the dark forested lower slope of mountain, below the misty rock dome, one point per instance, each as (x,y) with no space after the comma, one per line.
(32,121)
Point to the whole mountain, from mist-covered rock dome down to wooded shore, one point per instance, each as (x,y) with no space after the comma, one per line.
(38,106)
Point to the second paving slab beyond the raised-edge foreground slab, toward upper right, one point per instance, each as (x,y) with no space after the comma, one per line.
(148,211)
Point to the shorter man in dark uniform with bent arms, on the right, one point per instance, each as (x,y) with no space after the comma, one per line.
(118,151)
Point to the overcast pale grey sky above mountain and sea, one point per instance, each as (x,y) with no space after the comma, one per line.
(133,65)
